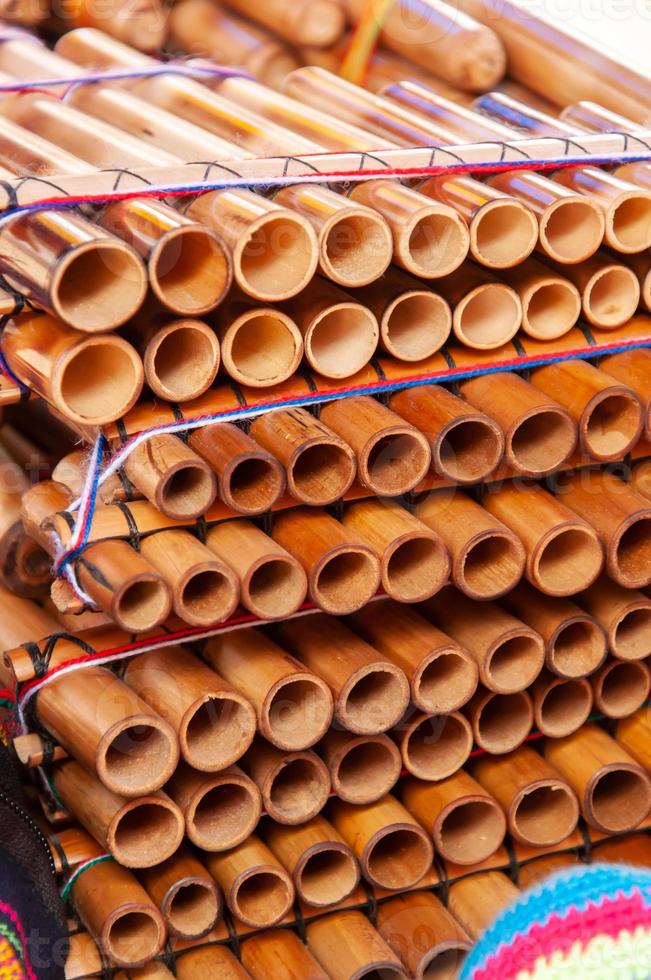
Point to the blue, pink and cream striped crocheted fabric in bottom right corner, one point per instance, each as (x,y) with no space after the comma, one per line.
(593,922)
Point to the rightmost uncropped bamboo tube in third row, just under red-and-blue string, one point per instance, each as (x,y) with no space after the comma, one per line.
(609,415)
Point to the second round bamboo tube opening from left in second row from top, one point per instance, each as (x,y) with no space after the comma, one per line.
(182,360)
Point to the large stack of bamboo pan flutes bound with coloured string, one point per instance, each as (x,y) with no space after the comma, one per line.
(430,611)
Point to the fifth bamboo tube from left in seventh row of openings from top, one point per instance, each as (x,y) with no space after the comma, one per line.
(391,846)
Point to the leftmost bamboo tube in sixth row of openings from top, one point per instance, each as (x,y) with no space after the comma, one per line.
(138,833)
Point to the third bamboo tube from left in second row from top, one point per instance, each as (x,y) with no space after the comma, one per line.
(260,345)
